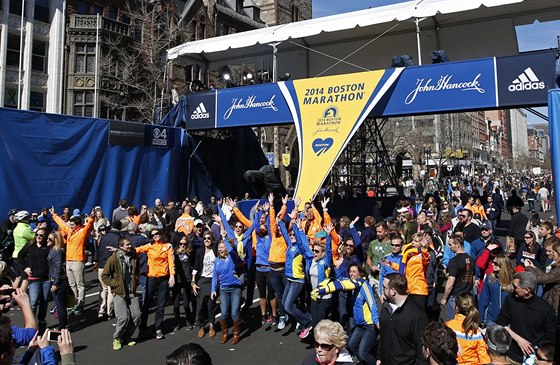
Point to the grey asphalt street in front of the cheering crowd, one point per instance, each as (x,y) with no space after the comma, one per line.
(93,341)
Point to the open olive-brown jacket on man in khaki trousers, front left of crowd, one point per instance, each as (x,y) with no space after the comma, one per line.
(112,274)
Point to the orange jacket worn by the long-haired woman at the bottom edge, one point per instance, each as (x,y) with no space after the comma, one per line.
(472,348)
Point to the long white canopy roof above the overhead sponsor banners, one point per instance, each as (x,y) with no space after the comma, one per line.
(367,39)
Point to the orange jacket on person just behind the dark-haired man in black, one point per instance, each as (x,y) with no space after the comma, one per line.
(416,263)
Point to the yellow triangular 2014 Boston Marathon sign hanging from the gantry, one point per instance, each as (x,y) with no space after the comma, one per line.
(327,111)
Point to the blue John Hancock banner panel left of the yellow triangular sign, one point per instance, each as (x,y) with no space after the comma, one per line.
(252,105)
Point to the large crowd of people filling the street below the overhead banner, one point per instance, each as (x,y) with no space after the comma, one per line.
(429,283)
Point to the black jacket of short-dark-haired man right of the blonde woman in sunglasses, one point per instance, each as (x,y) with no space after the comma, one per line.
(400,340)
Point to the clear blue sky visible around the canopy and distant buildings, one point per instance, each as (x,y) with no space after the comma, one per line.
(530,37)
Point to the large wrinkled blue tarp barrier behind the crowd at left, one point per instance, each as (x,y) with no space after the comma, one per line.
(67,161)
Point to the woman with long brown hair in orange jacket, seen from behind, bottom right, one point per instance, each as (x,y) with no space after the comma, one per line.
(472,348)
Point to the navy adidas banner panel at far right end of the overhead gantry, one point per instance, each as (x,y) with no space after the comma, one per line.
(525,79)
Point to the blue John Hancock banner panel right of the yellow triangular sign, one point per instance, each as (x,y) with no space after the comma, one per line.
(444,86)
